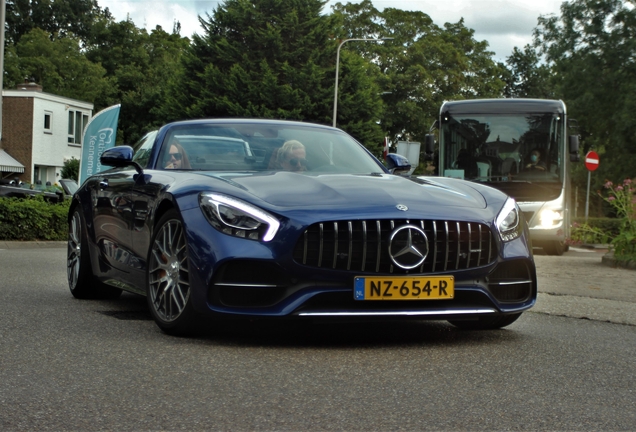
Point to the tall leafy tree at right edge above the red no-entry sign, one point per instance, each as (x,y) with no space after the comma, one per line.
(590,48)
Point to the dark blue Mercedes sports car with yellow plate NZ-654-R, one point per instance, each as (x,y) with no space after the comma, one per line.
(264,218)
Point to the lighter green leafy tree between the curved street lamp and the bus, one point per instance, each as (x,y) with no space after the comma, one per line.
(424,65)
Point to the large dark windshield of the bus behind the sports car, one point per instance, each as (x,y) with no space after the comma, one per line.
(503,148)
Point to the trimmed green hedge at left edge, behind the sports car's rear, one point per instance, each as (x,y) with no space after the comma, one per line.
(33,218)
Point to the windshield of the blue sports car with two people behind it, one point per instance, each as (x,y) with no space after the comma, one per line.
(263,147)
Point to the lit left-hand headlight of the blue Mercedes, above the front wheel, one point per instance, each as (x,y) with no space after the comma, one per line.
(238,218)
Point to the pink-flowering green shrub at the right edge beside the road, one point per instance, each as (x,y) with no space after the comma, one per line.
(622,198)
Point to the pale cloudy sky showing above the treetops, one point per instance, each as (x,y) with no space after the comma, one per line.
(504,24)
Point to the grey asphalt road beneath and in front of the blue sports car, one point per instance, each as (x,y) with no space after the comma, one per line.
(67,364)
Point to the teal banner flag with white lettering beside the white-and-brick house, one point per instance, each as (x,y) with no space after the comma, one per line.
(100,134)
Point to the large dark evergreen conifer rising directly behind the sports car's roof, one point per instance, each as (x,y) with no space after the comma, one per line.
(274,59)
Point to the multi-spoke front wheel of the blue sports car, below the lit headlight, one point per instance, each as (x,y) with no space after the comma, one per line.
(167,279)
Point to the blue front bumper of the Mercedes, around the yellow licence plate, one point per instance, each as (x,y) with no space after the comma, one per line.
(234,276)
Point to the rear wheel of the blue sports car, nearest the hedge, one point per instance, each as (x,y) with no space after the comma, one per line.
(81,281)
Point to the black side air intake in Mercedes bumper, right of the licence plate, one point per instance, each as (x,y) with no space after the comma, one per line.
(511,282)
